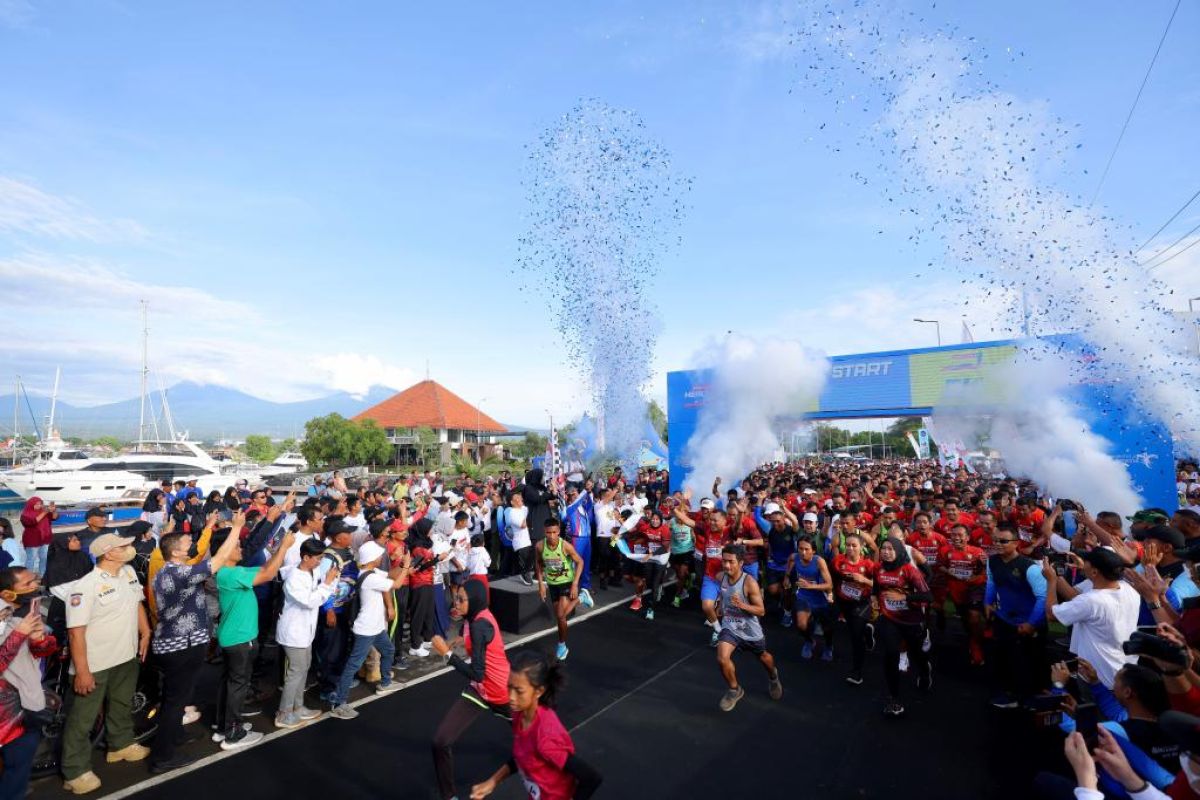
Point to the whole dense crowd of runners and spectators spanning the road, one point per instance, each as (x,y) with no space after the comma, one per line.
(1087,621)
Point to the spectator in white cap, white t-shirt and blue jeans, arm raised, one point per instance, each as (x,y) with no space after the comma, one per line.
(370,627)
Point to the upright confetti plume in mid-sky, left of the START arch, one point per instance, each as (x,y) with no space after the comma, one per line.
(605,206)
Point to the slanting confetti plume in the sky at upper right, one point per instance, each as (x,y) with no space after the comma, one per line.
(977,169)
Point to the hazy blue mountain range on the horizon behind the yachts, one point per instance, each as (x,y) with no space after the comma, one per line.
(206,412)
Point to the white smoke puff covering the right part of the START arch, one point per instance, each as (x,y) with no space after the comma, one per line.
(1041,432)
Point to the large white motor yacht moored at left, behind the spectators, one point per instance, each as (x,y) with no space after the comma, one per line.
(143,470)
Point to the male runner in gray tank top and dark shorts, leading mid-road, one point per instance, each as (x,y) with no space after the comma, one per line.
(741,606)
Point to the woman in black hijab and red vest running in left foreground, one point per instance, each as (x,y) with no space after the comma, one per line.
(488,672)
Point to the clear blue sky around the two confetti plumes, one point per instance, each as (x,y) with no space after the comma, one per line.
(325,196)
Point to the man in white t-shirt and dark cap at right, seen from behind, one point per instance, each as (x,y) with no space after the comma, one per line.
(1102,618)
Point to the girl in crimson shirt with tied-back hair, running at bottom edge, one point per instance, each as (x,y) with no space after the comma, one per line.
(543,753)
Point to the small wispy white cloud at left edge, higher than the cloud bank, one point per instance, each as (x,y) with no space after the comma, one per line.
(28,210)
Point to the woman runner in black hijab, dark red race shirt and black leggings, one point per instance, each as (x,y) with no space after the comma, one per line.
(901,596)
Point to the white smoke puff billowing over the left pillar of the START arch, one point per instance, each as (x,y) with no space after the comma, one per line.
(754,382)
